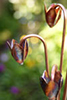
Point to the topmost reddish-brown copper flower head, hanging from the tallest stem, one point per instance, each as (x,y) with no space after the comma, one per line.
(52,15)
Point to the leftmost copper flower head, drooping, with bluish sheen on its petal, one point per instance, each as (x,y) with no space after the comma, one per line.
(19,52)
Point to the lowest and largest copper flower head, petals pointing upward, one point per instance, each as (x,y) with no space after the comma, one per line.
(51,86)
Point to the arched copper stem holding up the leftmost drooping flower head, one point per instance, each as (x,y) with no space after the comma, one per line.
(45,48)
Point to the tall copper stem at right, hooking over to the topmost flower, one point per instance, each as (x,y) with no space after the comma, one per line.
(63,37)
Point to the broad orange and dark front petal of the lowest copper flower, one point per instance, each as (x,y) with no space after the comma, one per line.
(50,89)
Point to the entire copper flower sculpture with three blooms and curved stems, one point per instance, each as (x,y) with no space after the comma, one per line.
(50,85)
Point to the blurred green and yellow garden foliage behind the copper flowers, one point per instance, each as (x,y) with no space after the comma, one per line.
(21,17)
